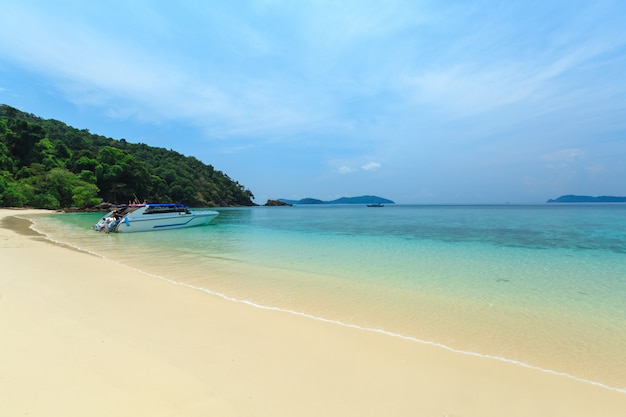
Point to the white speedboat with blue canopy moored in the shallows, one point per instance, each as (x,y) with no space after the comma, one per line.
(148,217)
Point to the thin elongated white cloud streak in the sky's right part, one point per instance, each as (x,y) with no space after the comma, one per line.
(472,88)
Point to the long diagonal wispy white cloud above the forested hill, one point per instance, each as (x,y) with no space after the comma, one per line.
(95,68)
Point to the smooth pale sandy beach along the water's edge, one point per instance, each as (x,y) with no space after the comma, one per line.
(85,336)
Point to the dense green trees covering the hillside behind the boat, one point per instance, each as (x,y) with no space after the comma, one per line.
(48,164)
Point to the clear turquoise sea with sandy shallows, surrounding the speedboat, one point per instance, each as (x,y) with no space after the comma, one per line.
(541,286)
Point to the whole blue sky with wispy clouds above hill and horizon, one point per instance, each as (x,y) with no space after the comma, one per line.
(417,101)
